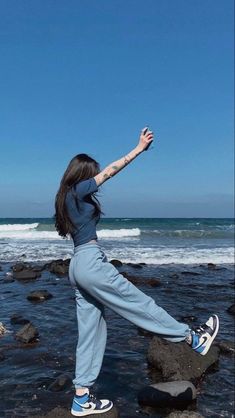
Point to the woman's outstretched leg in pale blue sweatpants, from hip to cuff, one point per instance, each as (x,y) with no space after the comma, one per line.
(111,288)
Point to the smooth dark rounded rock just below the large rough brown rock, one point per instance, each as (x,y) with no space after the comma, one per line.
(169,394)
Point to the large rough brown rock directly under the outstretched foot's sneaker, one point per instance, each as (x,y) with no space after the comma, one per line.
(177,361)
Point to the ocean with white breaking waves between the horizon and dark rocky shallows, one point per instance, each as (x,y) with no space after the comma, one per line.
(149,240)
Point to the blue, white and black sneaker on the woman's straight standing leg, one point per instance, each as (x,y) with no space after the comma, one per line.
(87,404)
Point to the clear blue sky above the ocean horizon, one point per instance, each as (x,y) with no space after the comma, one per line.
(86,76)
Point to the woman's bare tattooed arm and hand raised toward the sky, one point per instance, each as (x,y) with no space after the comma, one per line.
(146,137)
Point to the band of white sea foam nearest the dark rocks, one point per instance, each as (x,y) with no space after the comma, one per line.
(44,251)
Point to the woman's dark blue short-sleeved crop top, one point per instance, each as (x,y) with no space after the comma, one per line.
(85,225)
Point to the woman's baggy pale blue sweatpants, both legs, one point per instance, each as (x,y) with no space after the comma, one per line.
(97,283)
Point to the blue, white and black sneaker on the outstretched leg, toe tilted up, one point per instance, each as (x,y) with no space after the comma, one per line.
(203,336)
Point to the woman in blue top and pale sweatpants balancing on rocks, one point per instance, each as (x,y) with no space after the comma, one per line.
(97,283)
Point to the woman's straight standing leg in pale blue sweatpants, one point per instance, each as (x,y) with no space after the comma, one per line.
(92,336)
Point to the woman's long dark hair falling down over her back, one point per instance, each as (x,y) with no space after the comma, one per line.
(81,167)
